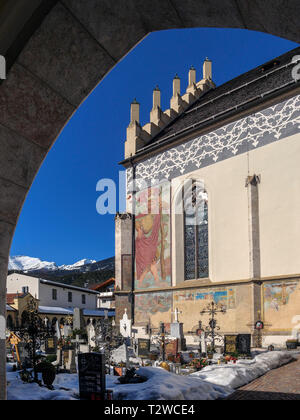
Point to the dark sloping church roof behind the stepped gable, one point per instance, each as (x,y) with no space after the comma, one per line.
(239,94)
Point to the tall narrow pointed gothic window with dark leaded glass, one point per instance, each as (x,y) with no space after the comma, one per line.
(196,264)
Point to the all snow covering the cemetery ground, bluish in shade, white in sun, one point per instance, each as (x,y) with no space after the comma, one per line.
(213,382)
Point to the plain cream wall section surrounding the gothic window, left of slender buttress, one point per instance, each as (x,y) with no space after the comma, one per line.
(227,218)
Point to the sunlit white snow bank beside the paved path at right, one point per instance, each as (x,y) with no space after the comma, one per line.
(244,371)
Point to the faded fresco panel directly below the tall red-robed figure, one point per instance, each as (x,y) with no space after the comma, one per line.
(149,304)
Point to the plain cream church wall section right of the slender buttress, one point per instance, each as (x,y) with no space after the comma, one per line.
(279,205)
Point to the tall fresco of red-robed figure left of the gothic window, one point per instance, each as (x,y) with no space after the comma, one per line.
(152,238)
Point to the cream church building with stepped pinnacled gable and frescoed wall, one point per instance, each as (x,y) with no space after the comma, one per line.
(213,205)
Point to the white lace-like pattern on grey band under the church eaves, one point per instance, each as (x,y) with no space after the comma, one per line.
(261,128)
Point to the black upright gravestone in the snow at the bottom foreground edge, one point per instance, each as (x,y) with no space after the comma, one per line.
(91,370)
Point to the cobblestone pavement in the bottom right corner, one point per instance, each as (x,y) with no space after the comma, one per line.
(278,384)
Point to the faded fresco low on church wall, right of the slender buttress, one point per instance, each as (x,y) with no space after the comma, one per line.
(277,295)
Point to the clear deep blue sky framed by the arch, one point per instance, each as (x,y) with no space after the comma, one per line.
(59,221)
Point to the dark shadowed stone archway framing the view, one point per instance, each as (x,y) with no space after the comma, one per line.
(58,51)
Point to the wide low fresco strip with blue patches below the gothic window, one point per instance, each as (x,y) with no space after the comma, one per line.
(223,296)
